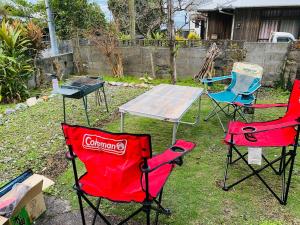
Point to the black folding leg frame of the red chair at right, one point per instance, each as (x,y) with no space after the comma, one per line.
(286,158)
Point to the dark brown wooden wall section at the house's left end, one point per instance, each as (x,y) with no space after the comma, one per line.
(219,24)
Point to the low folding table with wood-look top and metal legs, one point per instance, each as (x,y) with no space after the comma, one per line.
(164,102)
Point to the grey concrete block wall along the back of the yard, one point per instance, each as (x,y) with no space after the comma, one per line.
(137,59)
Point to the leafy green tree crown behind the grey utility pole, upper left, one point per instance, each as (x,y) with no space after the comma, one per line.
(70,16)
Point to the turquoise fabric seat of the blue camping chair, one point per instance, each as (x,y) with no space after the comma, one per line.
(230,97)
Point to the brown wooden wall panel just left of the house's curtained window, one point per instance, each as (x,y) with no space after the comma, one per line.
(247,22)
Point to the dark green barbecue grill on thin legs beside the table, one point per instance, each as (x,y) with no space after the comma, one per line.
(80,88)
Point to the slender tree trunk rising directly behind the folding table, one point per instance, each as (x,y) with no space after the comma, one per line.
(171,36)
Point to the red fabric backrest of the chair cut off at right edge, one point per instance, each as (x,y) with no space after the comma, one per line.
(293,109)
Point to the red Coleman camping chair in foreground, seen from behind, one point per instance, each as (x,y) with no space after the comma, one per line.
(120,168)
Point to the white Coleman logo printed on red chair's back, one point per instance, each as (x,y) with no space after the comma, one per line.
(98,143)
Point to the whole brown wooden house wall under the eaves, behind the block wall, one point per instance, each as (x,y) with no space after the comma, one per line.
(254,24)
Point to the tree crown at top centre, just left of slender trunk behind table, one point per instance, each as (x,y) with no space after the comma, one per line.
(149,15)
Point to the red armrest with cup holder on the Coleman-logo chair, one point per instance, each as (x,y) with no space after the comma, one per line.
(172,155)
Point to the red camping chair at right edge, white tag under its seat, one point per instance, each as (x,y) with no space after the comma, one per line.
(283,133)
